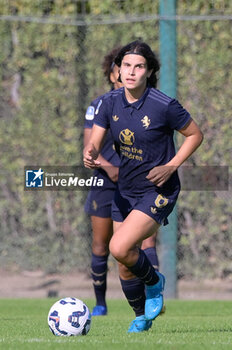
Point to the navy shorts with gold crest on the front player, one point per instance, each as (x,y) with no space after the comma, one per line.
(154,204)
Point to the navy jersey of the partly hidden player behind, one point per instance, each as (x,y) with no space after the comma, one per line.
(108,149)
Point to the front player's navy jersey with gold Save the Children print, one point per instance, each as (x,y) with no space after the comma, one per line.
(143,135)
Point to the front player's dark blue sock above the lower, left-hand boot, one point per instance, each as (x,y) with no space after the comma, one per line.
(135,294)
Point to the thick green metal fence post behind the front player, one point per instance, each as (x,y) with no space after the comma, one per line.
(168,84)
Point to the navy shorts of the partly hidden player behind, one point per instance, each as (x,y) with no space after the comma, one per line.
(99,200)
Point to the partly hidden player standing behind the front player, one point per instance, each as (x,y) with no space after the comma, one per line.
(98,202)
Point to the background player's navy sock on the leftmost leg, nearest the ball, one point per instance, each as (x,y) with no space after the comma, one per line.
(99,274)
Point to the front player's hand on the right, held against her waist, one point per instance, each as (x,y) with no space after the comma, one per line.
(160,174)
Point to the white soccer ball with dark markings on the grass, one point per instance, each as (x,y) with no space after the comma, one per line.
(69,316)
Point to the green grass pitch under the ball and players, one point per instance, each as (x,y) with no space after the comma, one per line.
(186,325)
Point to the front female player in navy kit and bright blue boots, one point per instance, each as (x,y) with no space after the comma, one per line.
(142,121)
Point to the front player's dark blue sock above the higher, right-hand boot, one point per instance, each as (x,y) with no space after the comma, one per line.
(144,270)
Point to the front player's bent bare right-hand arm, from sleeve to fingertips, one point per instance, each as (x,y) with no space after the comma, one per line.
(193,138)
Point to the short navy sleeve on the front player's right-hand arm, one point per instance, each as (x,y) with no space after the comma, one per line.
(177,116)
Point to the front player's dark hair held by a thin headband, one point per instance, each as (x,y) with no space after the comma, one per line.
(140,48)
